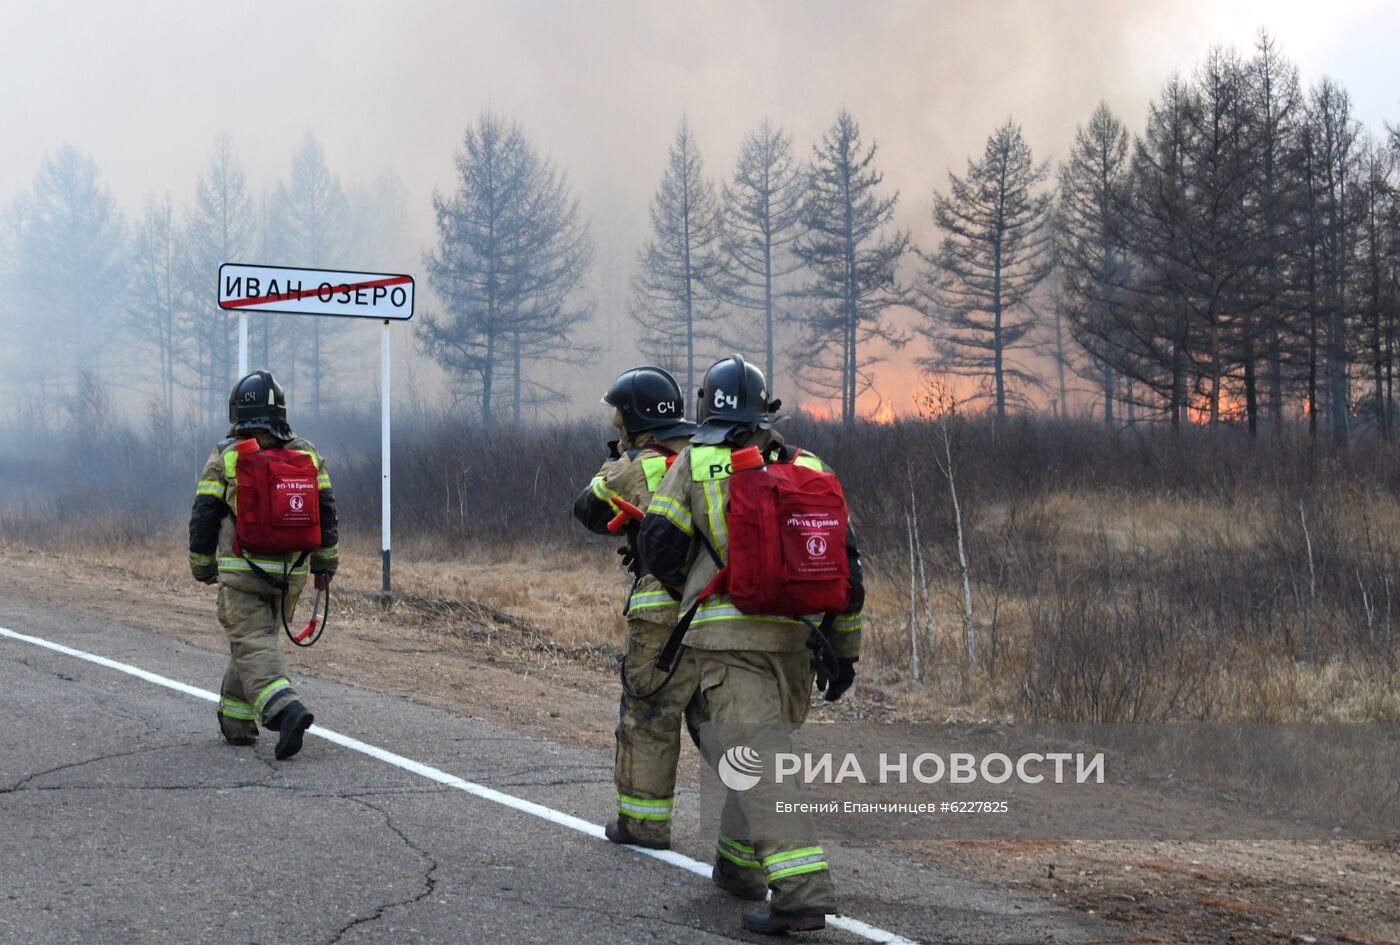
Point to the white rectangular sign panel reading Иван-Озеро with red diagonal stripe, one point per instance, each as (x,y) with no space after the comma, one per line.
(316,292)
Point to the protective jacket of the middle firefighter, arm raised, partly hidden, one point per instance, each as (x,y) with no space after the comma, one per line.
(633,478)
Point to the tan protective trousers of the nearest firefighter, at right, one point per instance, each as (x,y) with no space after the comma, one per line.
(755,699)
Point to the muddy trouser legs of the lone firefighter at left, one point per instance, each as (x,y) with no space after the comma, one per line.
(253,626)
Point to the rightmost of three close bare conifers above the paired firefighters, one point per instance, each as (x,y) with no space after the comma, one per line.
(853,258)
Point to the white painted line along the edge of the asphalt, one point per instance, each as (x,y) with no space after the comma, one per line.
(853,926)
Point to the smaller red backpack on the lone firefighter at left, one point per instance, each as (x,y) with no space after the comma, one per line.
(279,502)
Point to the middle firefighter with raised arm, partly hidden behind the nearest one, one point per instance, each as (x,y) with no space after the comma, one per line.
(649,414)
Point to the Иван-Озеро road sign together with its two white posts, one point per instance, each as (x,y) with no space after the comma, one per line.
(338,293)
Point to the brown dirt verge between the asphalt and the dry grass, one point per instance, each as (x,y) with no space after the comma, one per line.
(530,643)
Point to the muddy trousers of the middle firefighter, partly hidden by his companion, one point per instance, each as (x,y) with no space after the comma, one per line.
(649,734)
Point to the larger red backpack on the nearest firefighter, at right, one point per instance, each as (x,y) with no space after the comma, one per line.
(787,540)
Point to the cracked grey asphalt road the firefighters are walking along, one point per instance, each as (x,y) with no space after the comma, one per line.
(125,818)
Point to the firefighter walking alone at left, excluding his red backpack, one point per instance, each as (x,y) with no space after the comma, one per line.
(257,689)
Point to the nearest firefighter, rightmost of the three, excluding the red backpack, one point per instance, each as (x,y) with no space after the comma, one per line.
(757,671)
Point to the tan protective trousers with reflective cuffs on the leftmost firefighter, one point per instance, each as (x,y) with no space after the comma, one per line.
(255,684)
